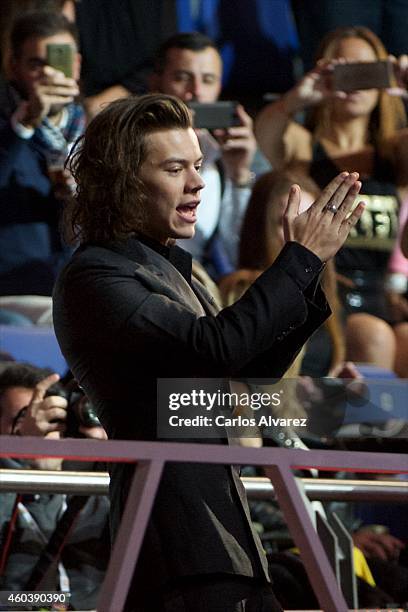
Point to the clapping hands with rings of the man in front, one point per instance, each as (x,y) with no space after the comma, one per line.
(325,225)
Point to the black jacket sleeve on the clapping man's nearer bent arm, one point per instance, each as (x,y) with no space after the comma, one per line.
(272,319)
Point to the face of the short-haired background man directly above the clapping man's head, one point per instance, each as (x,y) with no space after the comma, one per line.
(191,75)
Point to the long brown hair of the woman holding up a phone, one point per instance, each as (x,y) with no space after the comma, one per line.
(388,116)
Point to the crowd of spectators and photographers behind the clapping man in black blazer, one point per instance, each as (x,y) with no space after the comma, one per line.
(305,137)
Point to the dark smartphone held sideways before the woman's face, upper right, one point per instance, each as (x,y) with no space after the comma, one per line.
(365,75)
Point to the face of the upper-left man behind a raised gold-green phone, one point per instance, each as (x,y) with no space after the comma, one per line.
(28,68)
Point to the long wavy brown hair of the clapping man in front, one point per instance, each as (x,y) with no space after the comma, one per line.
(110,199)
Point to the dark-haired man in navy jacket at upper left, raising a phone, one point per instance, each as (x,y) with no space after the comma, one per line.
(39,121)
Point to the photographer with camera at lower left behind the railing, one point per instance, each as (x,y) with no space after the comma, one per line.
(32,404)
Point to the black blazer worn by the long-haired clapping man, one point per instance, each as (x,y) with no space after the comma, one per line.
(125,315)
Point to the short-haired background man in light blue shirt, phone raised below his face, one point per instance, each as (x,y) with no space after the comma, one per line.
(189,66)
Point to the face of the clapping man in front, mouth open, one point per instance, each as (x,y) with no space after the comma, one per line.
(171,176)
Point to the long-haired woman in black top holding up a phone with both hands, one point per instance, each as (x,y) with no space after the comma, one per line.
(363,129)
